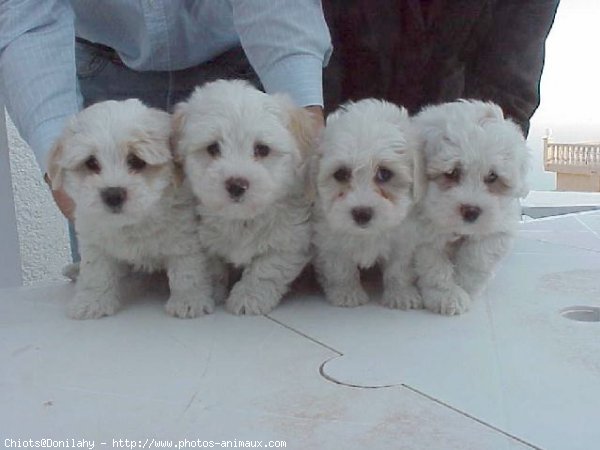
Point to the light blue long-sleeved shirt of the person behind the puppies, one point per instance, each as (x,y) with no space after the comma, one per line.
(286,41)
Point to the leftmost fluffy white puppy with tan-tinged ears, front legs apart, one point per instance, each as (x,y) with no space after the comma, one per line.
(114,161)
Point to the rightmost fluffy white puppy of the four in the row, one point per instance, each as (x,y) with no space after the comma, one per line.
(475,164)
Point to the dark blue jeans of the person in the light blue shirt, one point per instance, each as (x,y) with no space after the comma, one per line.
(102,78)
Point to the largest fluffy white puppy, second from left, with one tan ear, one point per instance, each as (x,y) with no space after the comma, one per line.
(244,153)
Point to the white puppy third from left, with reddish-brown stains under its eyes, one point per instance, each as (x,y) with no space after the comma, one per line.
(365,189)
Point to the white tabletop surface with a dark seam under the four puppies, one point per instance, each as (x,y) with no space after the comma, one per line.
(511,373)
